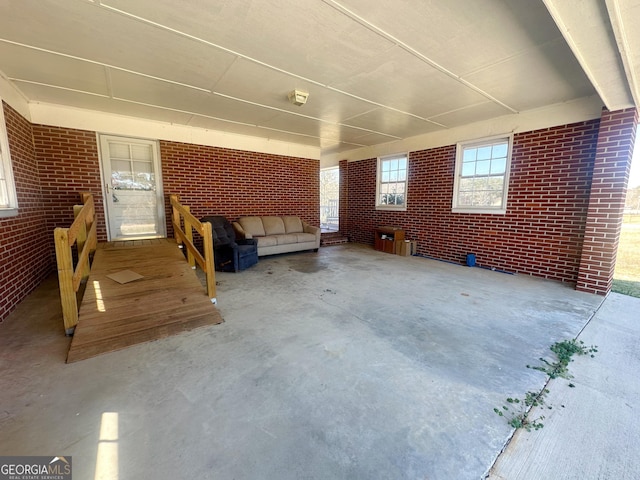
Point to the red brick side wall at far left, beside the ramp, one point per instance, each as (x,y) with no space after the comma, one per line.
(24,254)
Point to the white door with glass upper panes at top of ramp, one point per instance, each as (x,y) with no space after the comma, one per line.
(134,203)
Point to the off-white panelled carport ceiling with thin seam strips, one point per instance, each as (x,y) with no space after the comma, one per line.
(375,71)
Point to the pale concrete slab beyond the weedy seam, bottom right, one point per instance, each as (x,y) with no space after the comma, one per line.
(593,430)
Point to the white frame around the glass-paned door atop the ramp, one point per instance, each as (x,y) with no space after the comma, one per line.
(105,186)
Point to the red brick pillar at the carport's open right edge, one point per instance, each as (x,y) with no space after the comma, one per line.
(614,151)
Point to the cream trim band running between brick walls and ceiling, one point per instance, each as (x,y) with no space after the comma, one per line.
(587,108)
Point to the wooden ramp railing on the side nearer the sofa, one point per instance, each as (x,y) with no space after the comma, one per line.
(183,225)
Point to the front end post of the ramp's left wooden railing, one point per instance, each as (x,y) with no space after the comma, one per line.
(65,279)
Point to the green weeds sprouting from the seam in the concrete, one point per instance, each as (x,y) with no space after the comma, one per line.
(518,410)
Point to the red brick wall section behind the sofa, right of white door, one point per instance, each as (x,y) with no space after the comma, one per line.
(222,181)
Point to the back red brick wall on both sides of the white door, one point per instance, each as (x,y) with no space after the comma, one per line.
(208,179)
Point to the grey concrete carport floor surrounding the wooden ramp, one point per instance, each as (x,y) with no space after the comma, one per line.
(346,364)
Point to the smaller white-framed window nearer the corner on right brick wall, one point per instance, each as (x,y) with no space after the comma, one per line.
(392,182)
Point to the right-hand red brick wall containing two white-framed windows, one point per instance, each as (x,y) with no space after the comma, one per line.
(542,231)
